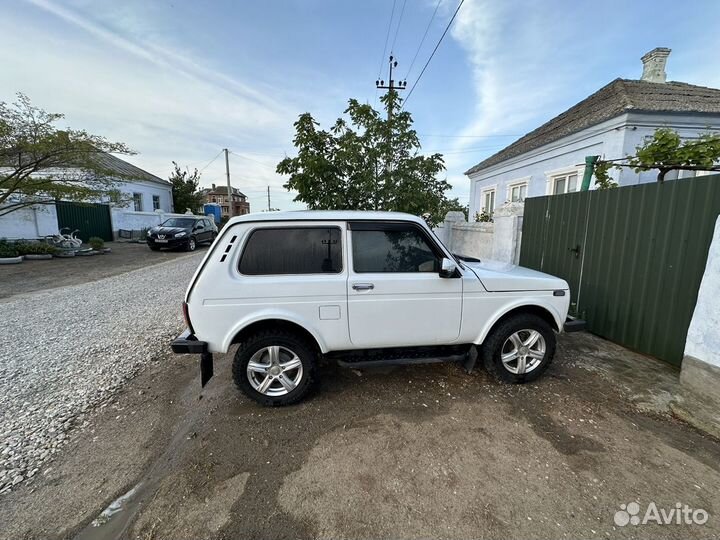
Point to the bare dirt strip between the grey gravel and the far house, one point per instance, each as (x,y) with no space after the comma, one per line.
(30,276)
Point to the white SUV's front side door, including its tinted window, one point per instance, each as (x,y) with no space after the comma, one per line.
(396,296)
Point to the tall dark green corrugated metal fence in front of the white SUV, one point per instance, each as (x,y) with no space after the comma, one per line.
(633,256)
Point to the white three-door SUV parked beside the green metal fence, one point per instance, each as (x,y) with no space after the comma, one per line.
(365,289)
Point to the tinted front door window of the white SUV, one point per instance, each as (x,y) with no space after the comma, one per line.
(401,249)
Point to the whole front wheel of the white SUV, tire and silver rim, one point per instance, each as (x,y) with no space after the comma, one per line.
(519,349)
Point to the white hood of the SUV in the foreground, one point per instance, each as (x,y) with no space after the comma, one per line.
(499,276)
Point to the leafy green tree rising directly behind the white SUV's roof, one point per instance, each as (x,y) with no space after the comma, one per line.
(366,163)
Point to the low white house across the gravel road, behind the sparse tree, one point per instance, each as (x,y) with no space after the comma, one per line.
(150,199)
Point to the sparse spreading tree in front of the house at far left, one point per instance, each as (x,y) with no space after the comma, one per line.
(40,163)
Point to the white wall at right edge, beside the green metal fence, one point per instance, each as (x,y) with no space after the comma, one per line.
(703,341)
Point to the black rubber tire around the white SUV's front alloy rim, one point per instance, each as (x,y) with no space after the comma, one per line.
(501,336)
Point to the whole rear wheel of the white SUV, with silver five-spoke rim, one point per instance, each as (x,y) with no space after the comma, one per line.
(268,351)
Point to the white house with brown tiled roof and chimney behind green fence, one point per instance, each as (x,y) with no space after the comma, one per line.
(611,123)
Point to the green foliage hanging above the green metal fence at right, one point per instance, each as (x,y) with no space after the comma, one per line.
(666,152)
